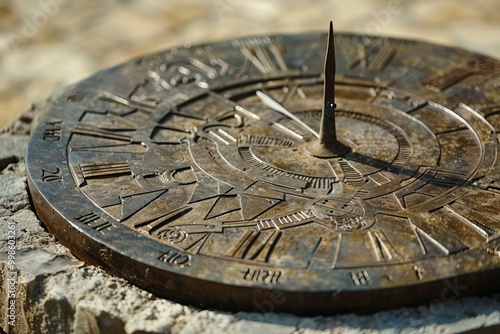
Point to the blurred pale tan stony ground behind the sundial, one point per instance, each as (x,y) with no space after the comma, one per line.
(48,43)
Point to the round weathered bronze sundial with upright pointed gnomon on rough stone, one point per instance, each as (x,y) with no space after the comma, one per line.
(308,173)
